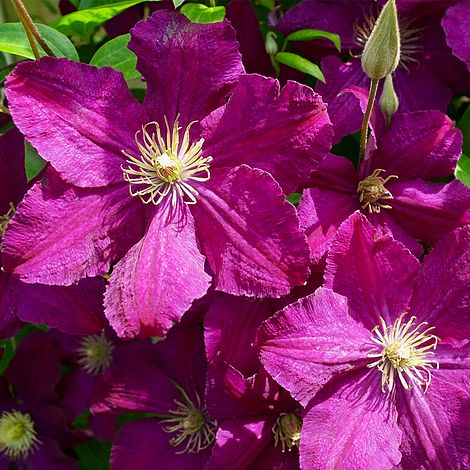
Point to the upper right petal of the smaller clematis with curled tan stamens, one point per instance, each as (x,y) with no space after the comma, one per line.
(419,145)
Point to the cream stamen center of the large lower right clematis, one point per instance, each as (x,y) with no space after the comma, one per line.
(405,351)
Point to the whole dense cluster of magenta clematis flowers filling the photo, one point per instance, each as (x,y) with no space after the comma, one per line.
(180,285)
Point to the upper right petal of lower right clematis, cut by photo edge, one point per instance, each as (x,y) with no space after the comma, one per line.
(446,274)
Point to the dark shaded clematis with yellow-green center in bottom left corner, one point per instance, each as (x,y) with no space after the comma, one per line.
(34,430)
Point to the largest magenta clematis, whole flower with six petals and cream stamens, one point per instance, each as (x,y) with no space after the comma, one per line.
(149,184)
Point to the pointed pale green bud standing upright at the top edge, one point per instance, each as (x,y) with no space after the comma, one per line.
(381,53)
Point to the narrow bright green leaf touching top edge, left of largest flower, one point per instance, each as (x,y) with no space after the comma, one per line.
(83,22)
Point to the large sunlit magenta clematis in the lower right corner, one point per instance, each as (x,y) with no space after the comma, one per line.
(381,365)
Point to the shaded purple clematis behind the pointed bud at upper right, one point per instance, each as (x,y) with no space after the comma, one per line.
(428,70)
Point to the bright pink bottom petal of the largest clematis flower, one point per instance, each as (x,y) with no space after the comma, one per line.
(144,297)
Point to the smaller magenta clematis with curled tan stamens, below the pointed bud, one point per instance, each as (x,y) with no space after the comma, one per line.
(392,185)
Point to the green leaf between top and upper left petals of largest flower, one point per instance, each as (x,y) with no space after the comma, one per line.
(116,54)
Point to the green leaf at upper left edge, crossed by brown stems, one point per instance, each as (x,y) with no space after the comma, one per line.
(13,40)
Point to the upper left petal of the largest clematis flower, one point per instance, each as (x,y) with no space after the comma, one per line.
(79,117)
